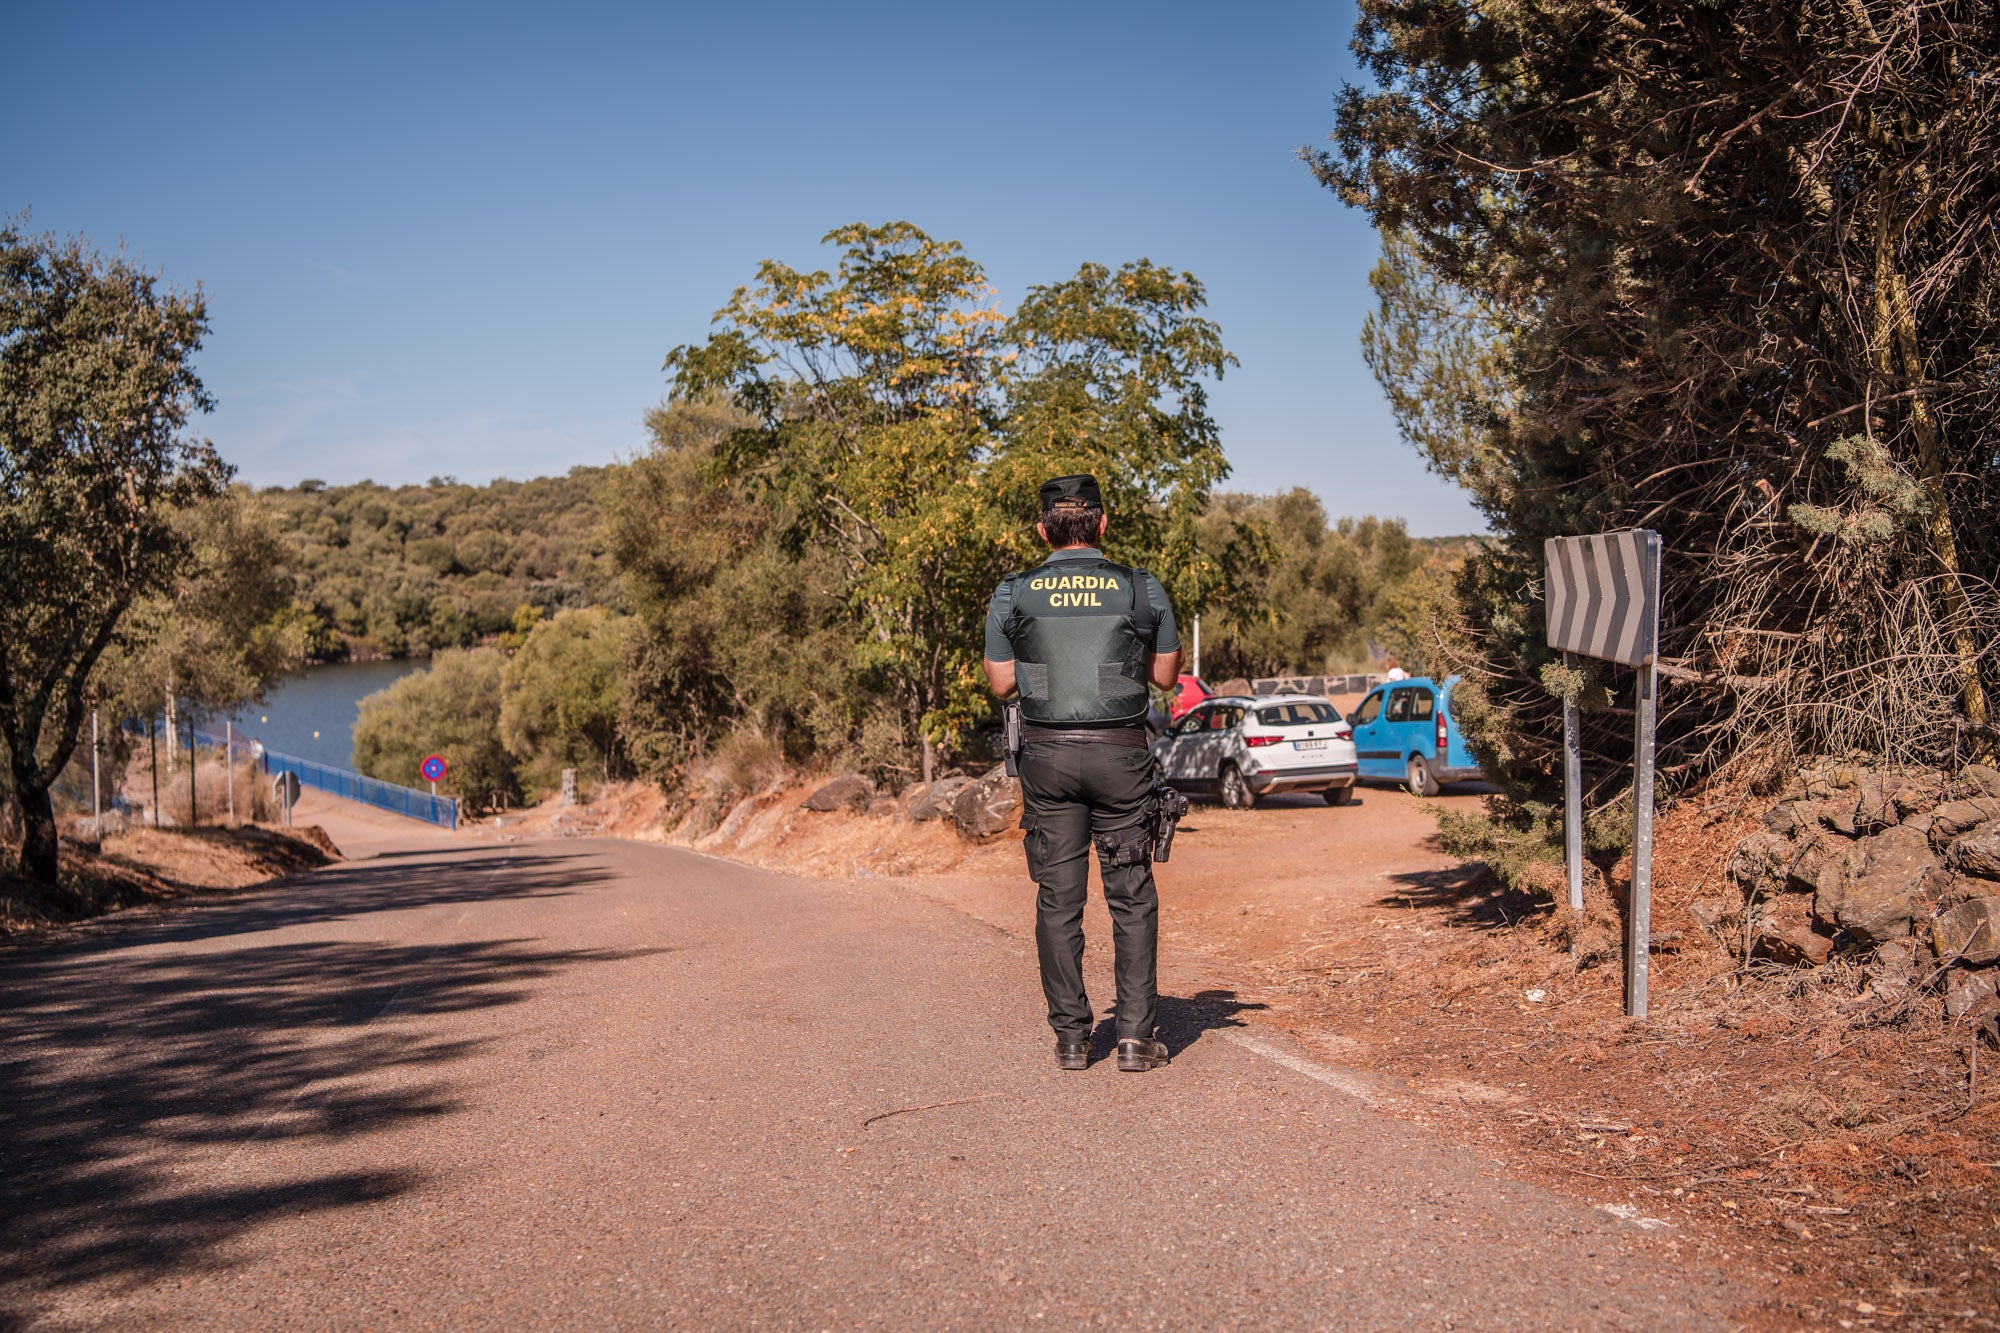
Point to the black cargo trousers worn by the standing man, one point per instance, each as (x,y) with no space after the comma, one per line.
(1075,794)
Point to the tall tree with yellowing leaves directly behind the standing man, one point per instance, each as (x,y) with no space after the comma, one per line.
(903,423)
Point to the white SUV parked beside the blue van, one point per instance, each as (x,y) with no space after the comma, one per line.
(1249,748)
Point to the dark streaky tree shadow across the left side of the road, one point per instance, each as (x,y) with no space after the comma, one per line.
(121,1066)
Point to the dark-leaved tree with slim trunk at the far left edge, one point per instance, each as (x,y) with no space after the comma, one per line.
(97,385)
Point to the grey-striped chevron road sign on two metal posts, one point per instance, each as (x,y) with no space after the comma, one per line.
(1603,599)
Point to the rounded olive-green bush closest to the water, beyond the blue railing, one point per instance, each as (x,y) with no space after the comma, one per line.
(451,710)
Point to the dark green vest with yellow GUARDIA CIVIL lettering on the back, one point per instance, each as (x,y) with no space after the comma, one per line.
(1083,643)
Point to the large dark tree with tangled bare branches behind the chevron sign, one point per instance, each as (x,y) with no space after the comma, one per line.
(1729,241)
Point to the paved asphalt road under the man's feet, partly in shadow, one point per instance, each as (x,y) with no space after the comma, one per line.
(625,1086)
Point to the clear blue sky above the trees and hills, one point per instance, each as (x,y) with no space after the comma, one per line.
(461,239)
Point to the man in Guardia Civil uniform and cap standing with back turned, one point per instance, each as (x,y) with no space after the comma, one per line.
(1081,639)
